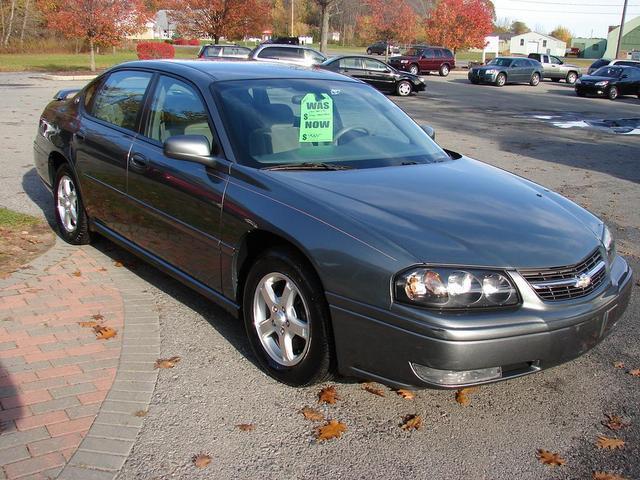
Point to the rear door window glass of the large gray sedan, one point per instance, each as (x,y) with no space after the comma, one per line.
(119,100)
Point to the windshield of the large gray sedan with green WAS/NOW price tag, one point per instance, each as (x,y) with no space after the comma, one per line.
(304,122)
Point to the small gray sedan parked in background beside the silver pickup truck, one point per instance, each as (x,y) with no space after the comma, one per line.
(503,70)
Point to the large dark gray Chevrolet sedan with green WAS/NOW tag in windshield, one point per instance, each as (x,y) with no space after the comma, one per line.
(314,209)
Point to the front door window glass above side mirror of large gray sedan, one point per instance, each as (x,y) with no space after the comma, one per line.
(176,109)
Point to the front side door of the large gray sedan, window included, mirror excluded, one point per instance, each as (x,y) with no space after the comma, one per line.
(178,202)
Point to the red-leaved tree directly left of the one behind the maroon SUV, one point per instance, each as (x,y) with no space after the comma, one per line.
(387,21)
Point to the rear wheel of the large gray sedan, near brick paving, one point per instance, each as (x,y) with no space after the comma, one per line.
(73,227)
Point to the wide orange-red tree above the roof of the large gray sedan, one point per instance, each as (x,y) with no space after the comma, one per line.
(221,18)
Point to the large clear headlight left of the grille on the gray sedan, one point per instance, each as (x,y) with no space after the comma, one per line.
(455,288)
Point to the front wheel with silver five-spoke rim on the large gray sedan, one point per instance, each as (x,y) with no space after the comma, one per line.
(303,361)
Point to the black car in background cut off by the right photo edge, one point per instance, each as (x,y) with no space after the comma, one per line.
(610,82)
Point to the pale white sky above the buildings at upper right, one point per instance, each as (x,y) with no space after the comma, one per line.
(584,18)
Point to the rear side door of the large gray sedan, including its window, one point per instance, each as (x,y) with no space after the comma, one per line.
(107,128)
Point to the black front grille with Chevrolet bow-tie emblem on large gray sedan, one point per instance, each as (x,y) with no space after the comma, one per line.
(554,284)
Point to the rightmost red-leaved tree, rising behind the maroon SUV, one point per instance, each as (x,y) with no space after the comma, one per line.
(460,24)
